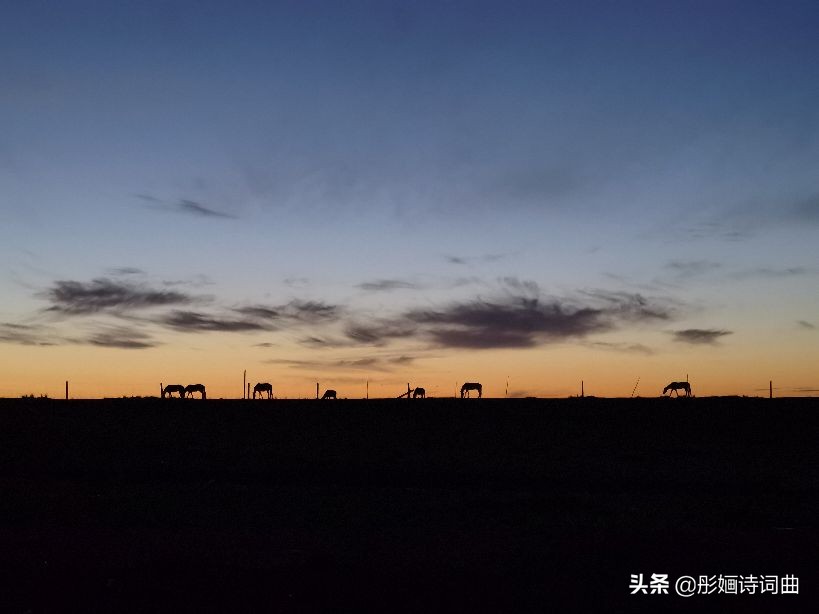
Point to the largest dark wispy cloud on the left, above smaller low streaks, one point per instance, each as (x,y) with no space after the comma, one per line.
(78,298)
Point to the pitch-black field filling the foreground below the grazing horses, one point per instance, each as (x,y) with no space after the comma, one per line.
(151,505)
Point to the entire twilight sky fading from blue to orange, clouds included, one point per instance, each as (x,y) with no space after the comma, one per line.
(370,194)
